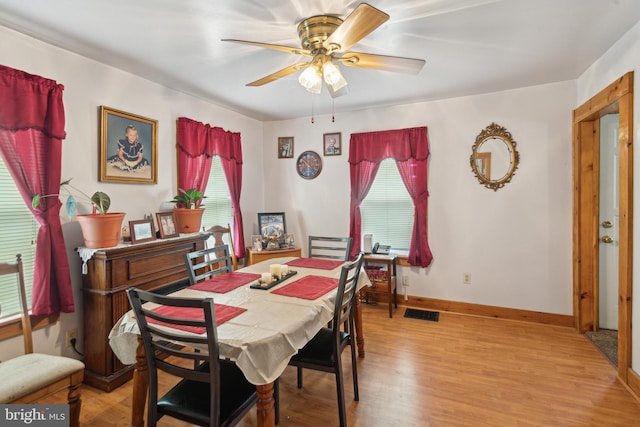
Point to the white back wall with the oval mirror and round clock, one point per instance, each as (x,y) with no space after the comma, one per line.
(515,242)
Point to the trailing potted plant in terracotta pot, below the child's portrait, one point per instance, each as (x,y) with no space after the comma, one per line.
(100,229)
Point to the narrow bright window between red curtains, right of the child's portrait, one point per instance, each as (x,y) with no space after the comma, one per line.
(218,210)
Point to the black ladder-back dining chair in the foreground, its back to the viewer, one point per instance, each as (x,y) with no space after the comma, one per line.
(211,392)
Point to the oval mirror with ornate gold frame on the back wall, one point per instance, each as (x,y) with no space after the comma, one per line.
(494,158)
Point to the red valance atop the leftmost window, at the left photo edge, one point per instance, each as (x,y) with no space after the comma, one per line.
(28,101)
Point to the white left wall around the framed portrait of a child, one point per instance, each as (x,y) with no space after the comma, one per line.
(88,85)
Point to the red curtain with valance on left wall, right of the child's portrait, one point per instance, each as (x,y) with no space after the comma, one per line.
(197,144)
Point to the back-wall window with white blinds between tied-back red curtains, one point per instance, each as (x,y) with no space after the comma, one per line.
(387,211)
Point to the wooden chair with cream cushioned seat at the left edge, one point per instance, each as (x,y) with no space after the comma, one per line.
(33,376)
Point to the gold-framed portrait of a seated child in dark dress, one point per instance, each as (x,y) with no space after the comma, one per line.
(128,147)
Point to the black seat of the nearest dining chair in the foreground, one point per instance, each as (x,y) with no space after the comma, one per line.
(189,400)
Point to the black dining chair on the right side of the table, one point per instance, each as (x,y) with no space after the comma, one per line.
(324,351)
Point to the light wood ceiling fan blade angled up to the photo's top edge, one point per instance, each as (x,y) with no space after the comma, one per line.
(361,22)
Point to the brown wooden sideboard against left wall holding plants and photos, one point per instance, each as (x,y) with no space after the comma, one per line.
(148,266)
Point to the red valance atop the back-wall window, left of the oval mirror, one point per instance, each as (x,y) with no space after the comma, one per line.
(399,144)
